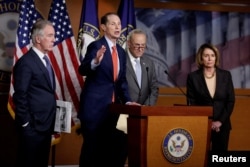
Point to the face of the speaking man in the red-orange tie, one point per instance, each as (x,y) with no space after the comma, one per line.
(112,28)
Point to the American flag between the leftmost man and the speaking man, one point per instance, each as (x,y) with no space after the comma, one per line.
(65,59)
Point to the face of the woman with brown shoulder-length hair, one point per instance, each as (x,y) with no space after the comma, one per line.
(208,58)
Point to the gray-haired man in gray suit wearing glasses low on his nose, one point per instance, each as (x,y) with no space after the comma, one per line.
(141,76)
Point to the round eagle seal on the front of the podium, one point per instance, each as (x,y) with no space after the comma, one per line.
(177,145)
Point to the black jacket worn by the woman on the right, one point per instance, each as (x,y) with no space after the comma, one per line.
(223,100)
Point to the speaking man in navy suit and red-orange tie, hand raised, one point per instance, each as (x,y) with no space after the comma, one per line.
(104,66)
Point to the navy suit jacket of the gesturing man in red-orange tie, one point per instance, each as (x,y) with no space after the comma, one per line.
(99,85)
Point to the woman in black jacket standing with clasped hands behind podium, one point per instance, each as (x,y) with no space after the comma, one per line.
(212,86)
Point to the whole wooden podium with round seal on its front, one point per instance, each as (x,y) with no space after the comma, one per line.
(149,128)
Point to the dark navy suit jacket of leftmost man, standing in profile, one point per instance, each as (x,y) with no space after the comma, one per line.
(34,96)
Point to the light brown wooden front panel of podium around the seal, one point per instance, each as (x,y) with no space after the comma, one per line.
(161,128)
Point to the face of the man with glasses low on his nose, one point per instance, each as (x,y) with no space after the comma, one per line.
(137,45)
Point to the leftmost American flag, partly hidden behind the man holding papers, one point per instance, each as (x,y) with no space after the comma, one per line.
(28,16)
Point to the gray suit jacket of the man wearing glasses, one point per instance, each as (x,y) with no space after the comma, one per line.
(148,93)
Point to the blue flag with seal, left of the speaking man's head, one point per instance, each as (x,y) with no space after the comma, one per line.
(89,26)
